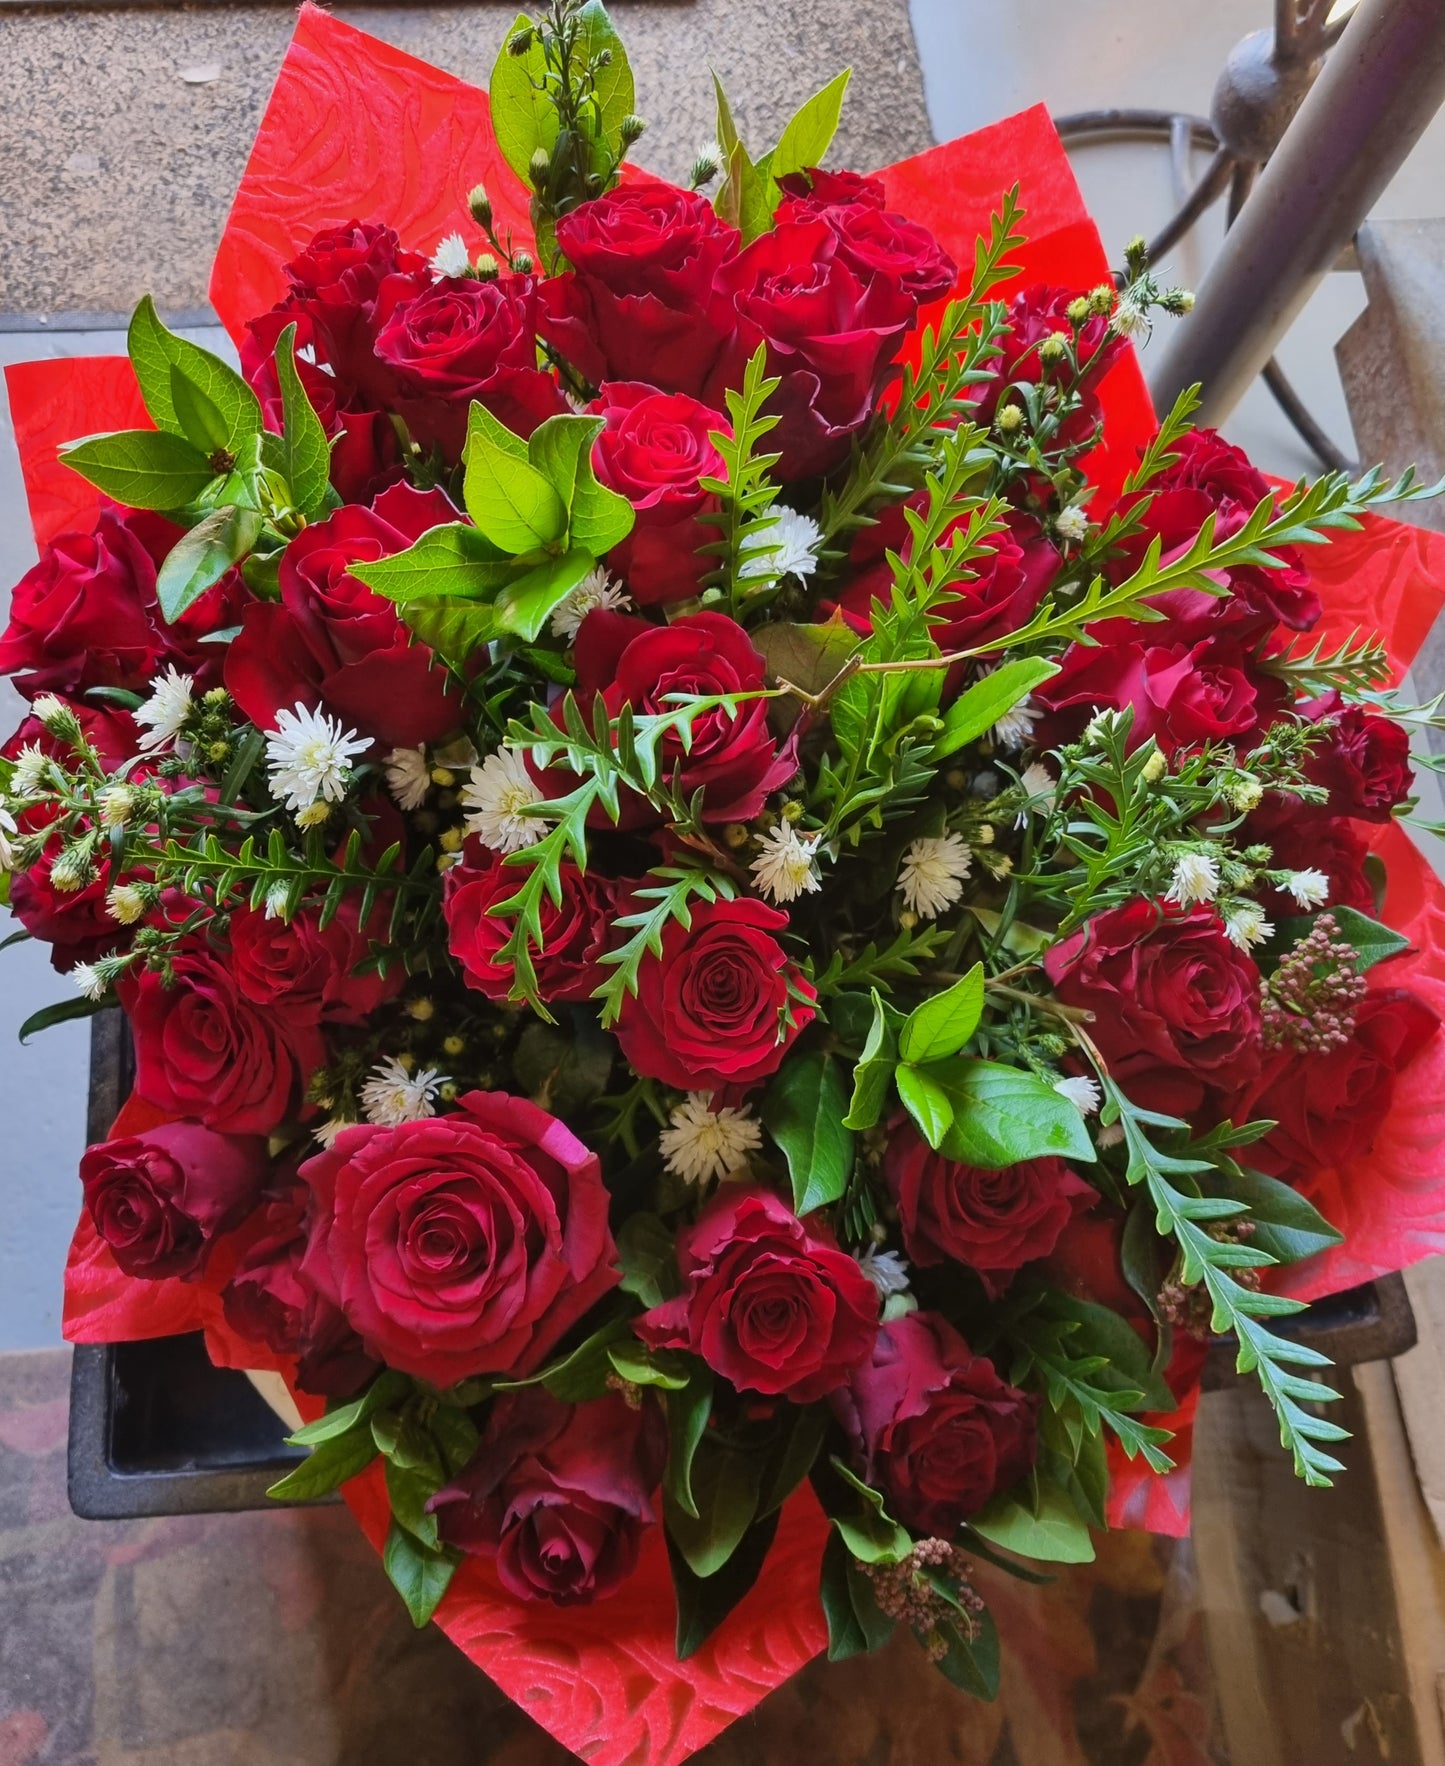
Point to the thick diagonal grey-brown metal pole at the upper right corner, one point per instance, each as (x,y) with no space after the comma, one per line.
(1381,87)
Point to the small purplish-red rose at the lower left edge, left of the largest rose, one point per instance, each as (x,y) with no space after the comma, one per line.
(160,1200)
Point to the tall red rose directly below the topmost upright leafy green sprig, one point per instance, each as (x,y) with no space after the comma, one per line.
(637,303)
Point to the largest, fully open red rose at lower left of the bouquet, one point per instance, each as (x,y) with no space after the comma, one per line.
(464,1244)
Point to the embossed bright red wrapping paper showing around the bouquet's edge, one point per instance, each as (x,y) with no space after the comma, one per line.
(359,130)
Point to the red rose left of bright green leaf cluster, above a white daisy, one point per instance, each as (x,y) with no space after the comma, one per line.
(335,644)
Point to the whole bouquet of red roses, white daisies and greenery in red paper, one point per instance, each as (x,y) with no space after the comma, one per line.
(750,902)
